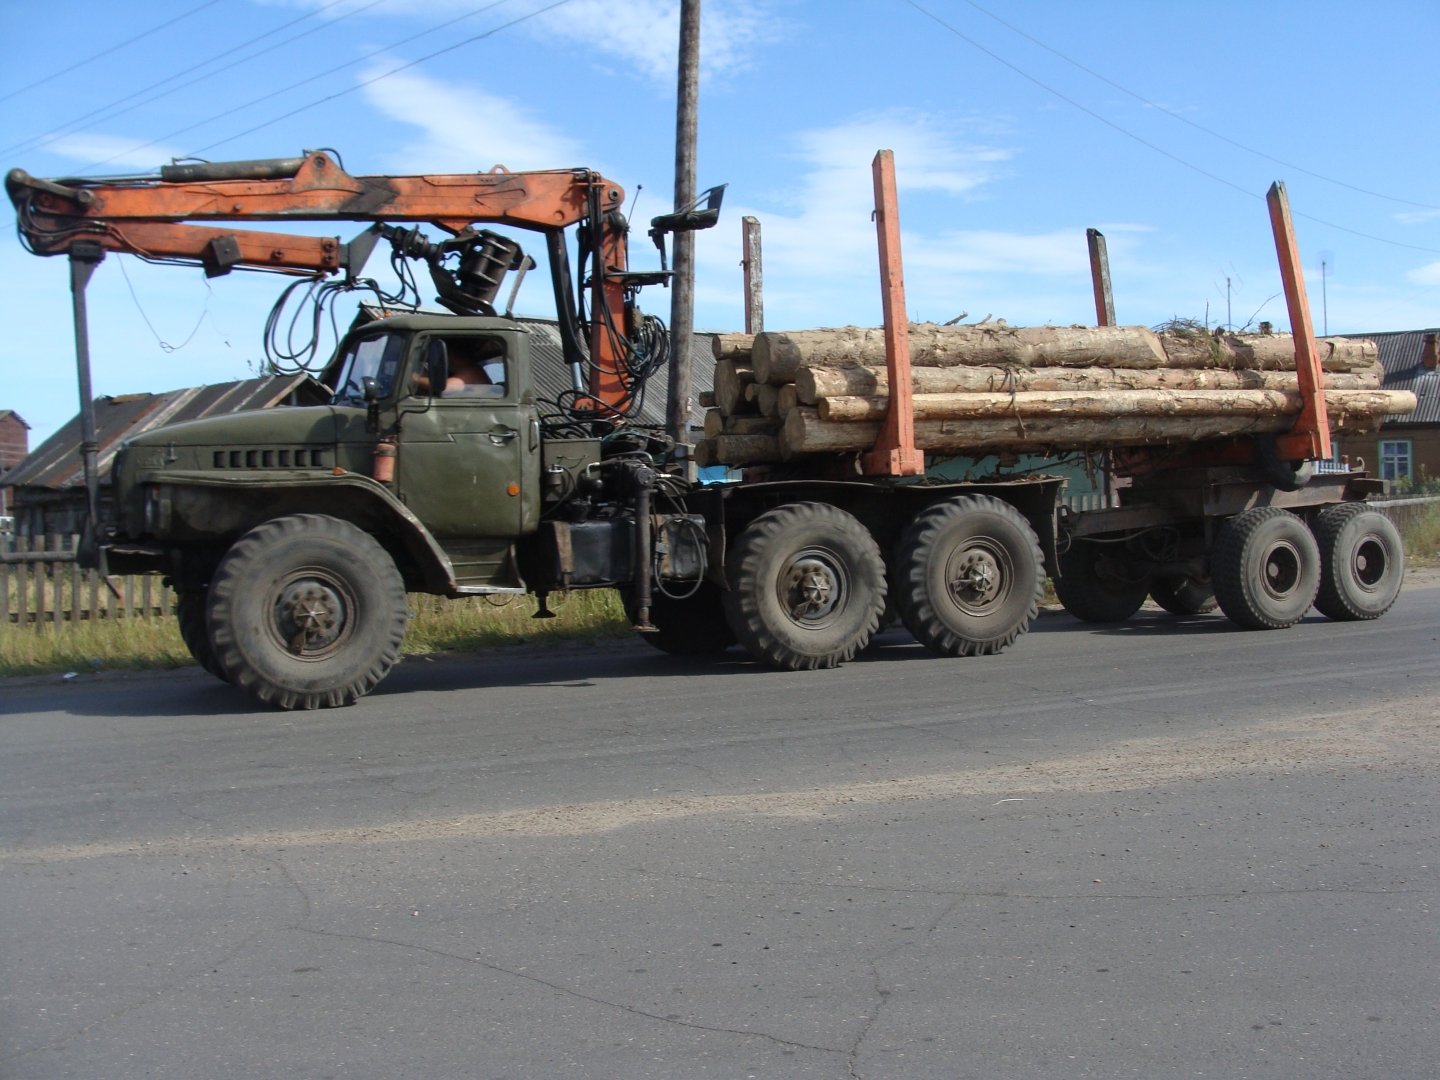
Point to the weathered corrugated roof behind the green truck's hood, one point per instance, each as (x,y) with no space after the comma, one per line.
(57,464)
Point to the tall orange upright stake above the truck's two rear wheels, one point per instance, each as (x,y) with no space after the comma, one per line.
(895,453)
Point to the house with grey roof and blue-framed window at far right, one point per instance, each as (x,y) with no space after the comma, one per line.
(1408,449)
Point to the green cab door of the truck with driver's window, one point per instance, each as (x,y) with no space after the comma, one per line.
(469,459)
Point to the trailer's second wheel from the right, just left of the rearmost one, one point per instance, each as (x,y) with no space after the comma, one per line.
(1266,570)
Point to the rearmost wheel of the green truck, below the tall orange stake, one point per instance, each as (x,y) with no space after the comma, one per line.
(968,577)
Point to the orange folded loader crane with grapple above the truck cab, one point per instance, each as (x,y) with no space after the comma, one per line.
(169,217)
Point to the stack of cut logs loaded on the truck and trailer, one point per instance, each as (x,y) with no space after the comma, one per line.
(993,388)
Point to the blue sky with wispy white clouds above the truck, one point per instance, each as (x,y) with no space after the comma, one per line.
(1016,126)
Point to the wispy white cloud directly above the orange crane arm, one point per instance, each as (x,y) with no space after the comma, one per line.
(466,129)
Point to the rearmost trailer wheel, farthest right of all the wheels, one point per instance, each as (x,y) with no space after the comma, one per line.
(1363,562)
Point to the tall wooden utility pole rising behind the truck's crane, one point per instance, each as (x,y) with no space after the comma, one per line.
(683,250)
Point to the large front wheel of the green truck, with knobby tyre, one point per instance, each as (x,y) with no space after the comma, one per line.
(307,611)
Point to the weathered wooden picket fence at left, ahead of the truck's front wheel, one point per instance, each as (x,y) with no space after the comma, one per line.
(42,587)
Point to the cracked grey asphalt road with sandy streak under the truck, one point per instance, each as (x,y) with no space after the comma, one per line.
(1166,850)
